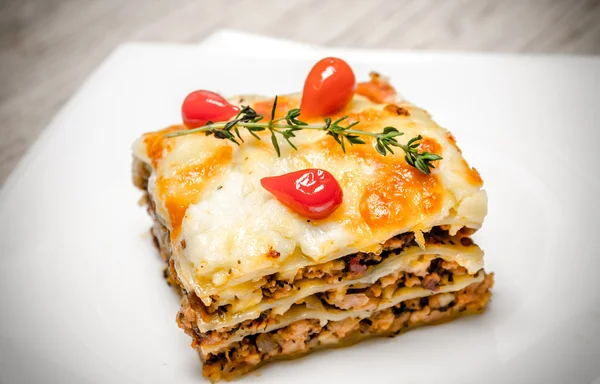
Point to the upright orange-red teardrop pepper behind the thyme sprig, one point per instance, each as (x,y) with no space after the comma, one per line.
(329,87)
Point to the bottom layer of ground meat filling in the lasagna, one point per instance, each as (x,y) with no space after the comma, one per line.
(305,335)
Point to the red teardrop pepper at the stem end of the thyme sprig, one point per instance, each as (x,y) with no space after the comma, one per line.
(201,106)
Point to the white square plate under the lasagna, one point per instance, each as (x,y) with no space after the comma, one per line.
(81,288)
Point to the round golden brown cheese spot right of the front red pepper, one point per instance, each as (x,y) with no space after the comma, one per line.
(400,195)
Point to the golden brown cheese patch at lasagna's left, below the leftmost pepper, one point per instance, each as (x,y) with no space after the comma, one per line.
(183,189)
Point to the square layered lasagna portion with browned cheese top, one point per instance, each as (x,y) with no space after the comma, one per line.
(260,282)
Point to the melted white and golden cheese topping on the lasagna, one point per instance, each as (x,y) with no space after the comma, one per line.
(225,227)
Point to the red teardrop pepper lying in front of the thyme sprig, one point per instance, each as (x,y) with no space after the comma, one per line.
(313,193)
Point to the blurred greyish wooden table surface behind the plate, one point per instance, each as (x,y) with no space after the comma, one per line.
(48,47)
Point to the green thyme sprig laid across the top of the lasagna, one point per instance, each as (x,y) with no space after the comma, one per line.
(339,129)
